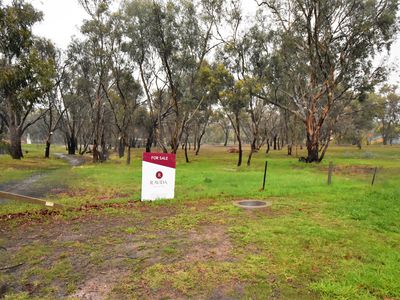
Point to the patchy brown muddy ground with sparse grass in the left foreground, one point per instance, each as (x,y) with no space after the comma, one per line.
(105,252)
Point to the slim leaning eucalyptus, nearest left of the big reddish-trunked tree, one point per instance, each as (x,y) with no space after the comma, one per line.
(246,53)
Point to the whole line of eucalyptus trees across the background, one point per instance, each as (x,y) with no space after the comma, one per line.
(165,73)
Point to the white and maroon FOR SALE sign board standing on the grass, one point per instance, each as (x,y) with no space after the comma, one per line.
(158,176)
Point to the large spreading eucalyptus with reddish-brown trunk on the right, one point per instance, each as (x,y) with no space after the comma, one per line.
(327,48)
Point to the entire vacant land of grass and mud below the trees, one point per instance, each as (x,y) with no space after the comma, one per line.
(315,241)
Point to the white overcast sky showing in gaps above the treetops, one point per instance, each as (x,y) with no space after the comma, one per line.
(63,18)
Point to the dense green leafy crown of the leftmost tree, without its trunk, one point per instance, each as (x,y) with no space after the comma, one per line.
(26,71)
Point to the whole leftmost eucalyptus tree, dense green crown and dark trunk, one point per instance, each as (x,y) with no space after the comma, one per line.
(27,69)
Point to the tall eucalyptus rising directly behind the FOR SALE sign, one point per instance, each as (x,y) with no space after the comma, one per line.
(174,37)
